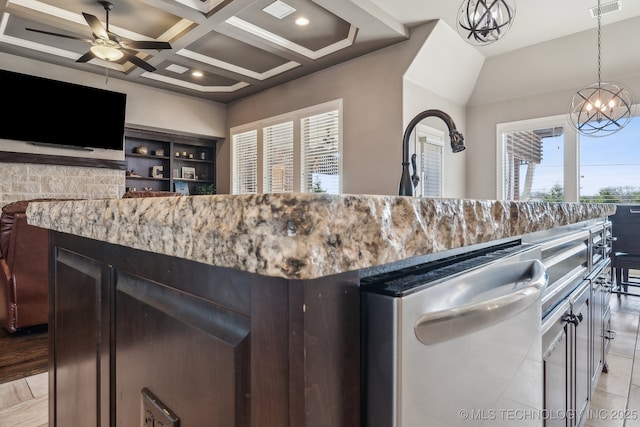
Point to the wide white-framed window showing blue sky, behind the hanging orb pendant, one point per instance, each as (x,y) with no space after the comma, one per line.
(545,159)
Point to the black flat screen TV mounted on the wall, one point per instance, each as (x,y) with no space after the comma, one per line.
(51,112)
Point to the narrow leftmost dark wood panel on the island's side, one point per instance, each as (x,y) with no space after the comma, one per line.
(81,349)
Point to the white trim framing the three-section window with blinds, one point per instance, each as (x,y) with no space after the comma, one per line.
(294,116)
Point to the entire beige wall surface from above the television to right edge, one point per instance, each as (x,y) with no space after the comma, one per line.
(538,81)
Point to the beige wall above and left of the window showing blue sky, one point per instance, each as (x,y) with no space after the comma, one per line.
(540,81)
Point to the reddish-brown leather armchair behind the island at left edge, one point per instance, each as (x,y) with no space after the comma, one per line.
(24,278)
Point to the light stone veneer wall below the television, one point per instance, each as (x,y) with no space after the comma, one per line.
(23,181)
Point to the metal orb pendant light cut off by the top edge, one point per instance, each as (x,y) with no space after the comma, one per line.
(482,22)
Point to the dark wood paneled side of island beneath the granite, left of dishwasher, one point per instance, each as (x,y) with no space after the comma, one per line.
(217,347)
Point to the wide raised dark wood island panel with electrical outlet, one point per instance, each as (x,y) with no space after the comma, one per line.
(191,353)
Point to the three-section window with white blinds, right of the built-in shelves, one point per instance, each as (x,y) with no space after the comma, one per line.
(298,151)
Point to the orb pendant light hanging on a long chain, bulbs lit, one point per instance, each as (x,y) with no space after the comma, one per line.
(601,109)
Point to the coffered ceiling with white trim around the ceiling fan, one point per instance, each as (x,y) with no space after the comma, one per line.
(238,46)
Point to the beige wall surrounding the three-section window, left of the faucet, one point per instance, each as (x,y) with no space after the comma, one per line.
(371,89)
